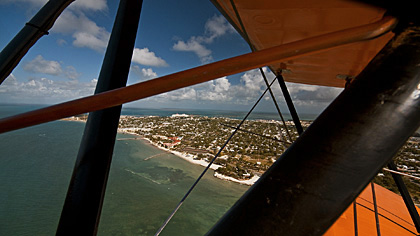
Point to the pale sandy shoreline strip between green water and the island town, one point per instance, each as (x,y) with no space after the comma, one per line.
(186,156)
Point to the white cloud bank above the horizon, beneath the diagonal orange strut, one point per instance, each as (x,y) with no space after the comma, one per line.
(251,85)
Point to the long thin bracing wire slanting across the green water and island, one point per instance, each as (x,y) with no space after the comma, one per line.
(211,162)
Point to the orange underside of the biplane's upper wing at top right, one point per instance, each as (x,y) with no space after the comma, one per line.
(270,23)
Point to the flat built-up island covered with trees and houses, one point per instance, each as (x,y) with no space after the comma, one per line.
(250,152)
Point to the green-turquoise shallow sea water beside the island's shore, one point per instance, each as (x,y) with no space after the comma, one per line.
(35,169)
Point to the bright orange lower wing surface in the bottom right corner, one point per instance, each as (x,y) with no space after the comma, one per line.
(394,218)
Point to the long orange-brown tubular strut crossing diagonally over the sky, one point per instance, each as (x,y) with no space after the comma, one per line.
(199,74)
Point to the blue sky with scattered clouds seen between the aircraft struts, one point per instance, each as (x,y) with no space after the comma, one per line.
(172,36)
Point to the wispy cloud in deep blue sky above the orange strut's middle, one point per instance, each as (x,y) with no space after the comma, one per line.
(215,27)
